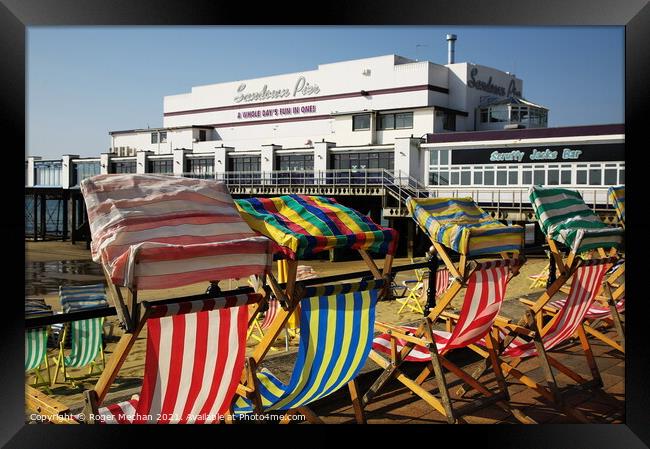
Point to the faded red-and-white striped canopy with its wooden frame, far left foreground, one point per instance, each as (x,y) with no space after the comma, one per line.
(156,232)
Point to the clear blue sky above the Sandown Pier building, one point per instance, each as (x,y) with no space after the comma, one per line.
(85,81)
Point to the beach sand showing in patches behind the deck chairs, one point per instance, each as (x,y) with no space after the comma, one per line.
(130,376)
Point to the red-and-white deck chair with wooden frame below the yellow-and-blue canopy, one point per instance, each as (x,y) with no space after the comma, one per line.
(486,285)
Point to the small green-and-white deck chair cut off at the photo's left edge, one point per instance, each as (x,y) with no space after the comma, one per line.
(36,342)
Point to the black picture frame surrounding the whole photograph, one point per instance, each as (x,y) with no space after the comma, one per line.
(16,15)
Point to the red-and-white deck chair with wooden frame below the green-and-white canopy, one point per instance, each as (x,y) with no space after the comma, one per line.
(588,276)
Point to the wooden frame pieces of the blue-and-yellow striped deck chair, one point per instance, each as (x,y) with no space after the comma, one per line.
(290,298)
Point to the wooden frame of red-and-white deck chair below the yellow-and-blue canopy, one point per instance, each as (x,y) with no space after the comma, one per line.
(424,337)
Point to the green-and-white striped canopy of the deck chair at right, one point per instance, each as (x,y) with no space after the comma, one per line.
(564,217)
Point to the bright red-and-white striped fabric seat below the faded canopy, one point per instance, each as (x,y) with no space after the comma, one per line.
(194,359)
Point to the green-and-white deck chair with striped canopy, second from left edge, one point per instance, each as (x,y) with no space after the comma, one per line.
(85,335)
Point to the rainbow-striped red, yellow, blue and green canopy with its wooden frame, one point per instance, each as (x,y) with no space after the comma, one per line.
(303,226)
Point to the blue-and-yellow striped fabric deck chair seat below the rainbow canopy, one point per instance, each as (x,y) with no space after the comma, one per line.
(337,326)
